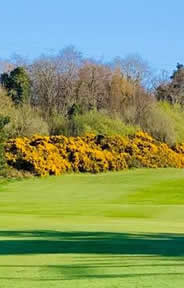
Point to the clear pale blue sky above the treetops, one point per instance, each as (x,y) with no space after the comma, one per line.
(99,28)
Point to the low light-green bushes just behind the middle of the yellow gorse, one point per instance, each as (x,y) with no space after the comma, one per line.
(92,122)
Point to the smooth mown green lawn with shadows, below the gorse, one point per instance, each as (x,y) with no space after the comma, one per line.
(122,229)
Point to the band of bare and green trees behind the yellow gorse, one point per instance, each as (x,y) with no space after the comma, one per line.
(71,95)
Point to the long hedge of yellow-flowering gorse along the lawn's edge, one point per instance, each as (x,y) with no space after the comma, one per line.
(55,155)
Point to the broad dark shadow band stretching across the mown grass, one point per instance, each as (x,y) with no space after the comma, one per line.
(53,242)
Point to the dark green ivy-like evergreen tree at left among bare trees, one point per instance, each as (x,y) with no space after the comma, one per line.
(17,83)
